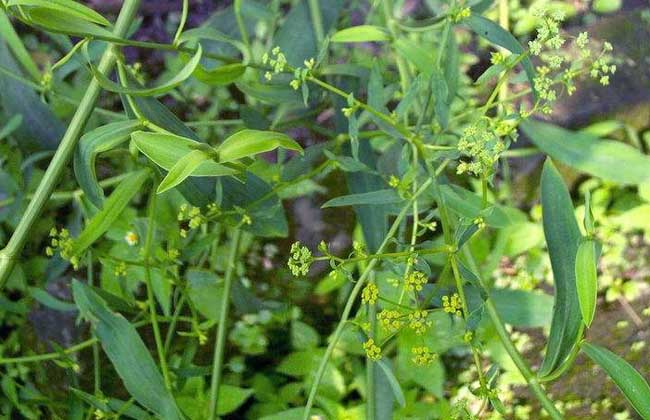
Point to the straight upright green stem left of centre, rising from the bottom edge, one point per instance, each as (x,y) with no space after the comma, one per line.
(220,340)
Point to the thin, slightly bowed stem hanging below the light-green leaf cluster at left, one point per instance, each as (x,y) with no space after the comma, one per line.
(148,244)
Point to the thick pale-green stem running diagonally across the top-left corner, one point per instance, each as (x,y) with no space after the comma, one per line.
(62,156)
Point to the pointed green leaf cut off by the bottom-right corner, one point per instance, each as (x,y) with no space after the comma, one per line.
(629,381)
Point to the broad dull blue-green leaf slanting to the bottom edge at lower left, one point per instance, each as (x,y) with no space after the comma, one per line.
(127,352)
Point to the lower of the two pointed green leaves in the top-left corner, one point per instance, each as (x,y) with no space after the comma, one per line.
(68,23)
